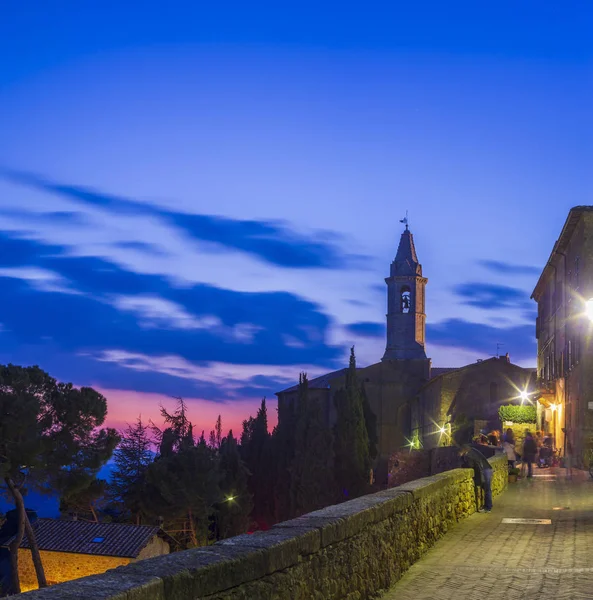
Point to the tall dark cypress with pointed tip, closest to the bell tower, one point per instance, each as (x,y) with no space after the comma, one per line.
(352,459)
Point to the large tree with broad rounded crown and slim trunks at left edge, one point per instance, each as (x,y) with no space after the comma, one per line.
(50,441)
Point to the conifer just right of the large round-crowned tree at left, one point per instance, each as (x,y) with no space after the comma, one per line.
(132,459)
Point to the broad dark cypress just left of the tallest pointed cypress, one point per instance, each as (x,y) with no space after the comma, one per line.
(312,479)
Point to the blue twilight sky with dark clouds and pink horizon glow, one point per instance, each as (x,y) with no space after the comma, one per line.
(203,199)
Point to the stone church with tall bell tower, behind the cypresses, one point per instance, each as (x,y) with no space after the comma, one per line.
(416,404)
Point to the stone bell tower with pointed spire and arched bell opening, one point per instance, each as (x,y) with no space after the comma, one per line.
(406,319)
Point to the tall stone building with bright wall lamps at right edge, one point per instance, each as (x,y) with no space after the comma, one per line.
(564,296)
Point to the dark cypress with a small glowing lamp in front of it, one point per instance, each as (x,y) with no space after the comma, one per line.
(236,504)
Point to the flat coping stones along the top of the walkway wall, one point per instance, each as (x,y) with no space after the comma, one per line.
(209,570)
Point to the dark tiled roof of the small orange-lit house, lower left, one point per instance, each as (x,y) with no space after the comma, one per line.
(117,539)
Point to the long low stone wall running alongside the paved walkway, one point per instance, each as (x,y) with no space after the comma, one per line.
(348,551)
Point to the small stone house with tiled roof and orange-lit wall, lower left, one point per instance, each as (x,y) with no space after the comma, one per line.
(73,549)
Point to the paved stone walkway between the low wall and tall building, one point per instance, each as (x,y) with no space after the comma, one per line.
(482,558)
